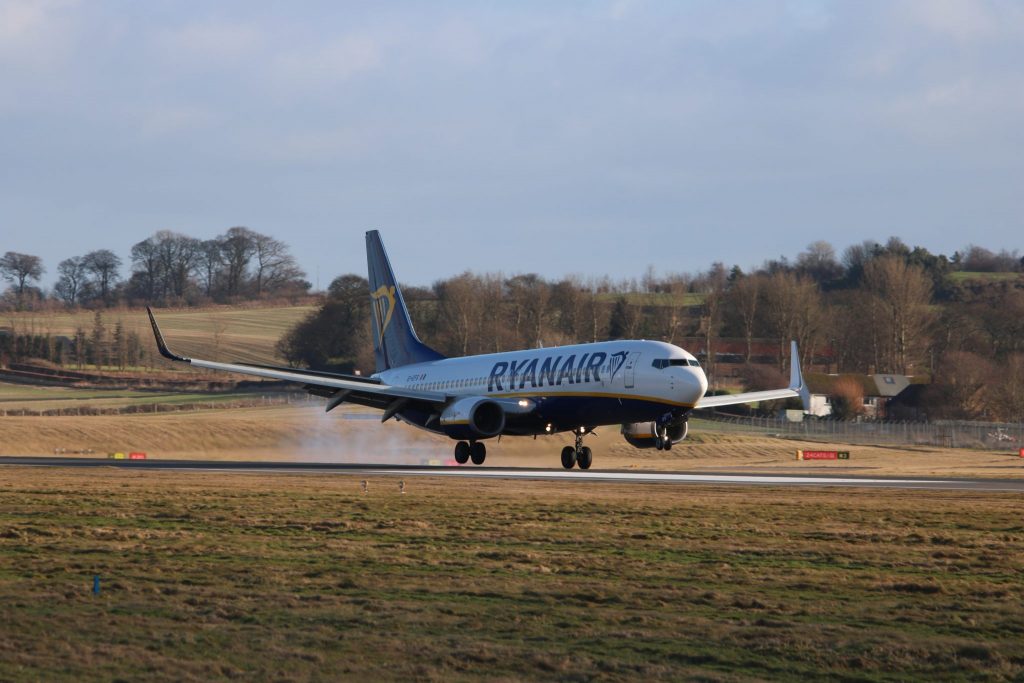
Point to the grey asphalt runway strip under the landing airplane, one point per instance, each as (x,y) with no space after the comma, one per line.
(587,477)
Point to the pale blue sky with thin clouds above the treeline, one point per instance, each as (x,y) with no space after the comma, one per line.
(578,138)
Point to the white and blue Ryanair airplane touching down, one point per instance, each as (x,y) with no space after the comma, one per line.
(648,388)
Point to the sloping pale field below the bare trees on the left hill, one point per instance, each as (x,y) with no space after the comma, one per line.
(245,334)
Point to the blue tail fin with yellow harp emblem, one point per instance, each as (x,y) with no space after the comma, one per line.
(396,344)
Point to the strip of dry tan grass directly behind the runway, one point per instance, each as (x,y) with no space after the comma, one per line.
(304,433)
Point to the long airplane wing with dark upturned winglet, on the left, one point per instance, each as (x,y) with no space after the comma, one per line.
(339,389)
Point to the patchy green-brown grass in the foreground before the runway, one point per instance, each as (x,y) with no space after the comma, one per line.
(217,576)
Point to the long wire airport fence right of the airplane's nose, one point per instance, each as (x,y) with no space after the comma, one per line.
(946,434)
